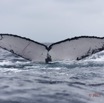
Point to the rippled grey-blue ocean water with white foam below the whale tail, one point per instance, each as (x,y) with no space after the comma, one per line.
(22,81)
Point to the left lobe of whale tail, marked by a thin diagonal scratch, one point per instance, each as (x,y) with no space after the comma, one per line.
(23,47)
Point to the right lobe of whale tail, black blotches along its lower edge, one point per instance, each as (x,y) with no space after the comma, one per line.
(76,48)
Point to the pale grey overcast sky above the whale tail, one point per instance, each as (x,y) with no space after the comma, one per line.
(52,20)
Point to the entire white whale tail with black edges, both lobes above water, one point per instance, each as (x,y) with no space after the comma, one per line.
(75,48)
